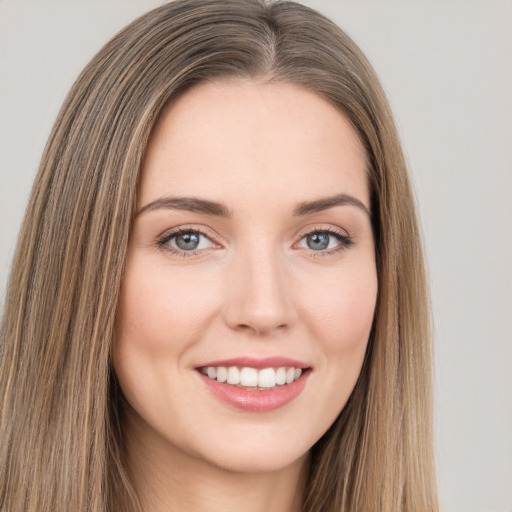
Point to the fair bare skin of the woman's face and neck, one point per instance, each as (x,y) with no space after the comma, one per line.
(253,288)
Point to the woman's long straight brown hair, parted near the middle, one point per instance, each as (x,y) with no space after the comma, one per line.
(61,442)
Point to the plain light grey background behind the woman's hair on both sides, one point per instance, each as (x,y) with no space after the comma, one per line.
(447,68)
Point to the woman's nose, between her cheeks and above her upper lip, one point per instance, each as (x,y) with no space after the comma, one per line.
(259,294)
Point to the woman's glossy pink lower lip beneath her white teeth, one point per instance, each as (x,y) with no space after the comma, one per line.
(253,400)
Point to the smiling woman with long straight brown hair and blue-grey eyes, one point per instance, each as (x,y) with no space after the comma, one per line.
(218,296)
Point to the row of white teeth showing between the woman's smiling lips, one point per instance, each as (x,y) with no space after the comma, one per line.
(251,377)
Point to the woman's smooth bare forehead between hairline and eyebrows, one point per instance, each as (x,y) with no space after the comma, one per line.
(254,140)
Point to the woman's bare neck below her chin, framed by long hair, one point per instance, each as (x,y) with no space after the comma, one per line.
(167,479)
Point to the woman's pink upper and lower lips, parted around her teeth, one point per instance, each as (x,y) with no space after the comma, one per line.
(252,400)
